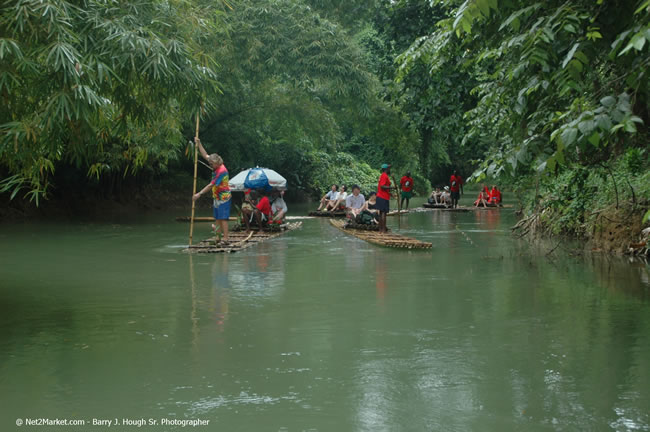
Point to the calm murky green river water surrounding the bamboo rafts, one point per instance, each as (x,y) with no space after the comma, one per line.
(319,331)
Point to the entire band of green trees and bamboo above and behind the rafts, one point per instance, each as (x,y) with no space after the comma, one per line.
(99,94)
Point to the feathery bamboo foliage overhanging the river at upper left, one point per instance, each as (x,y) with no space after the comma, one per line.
(103,84)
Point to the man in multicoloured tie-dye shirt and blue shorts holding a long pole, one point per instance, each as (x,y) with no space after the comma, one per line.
(220,190)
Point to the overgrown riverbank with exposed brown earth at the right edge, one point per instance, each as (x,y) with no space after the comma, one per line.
(602,208)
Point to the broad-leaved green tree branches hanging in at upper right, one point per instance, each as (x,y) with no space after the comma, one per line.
(558,85)
